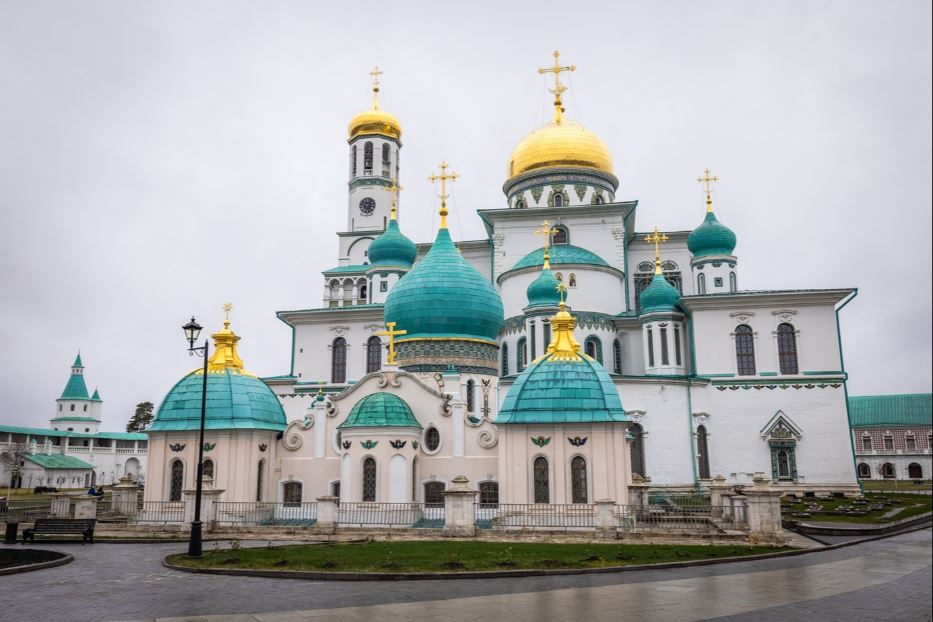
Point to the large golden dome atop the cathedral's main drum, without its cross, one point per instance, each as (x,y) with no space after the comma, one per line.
(561,143)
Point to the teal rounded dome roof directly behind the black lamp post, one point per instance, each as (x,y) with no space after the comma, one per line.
(235,401)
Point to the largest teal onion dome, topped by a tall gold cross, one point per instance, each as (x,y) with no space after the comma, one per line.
(444,296)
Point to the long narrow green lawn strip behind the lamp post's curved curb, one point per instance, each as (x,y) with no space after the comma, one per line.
(455,556)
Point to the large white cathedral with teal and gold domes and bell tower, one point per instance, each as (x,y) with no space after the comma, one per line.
(567,354)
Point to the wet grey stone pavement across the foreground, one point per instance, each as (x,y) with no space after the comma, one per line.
(886,579)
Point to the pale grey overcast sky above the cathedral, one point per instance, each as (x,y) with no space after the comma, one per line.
(158,159)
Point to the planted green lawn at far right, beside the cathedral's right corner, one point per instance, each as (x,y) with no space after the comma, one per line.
(876,507)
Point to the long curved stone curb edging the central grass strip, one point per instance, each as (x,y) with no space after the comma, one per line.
(502,574)
